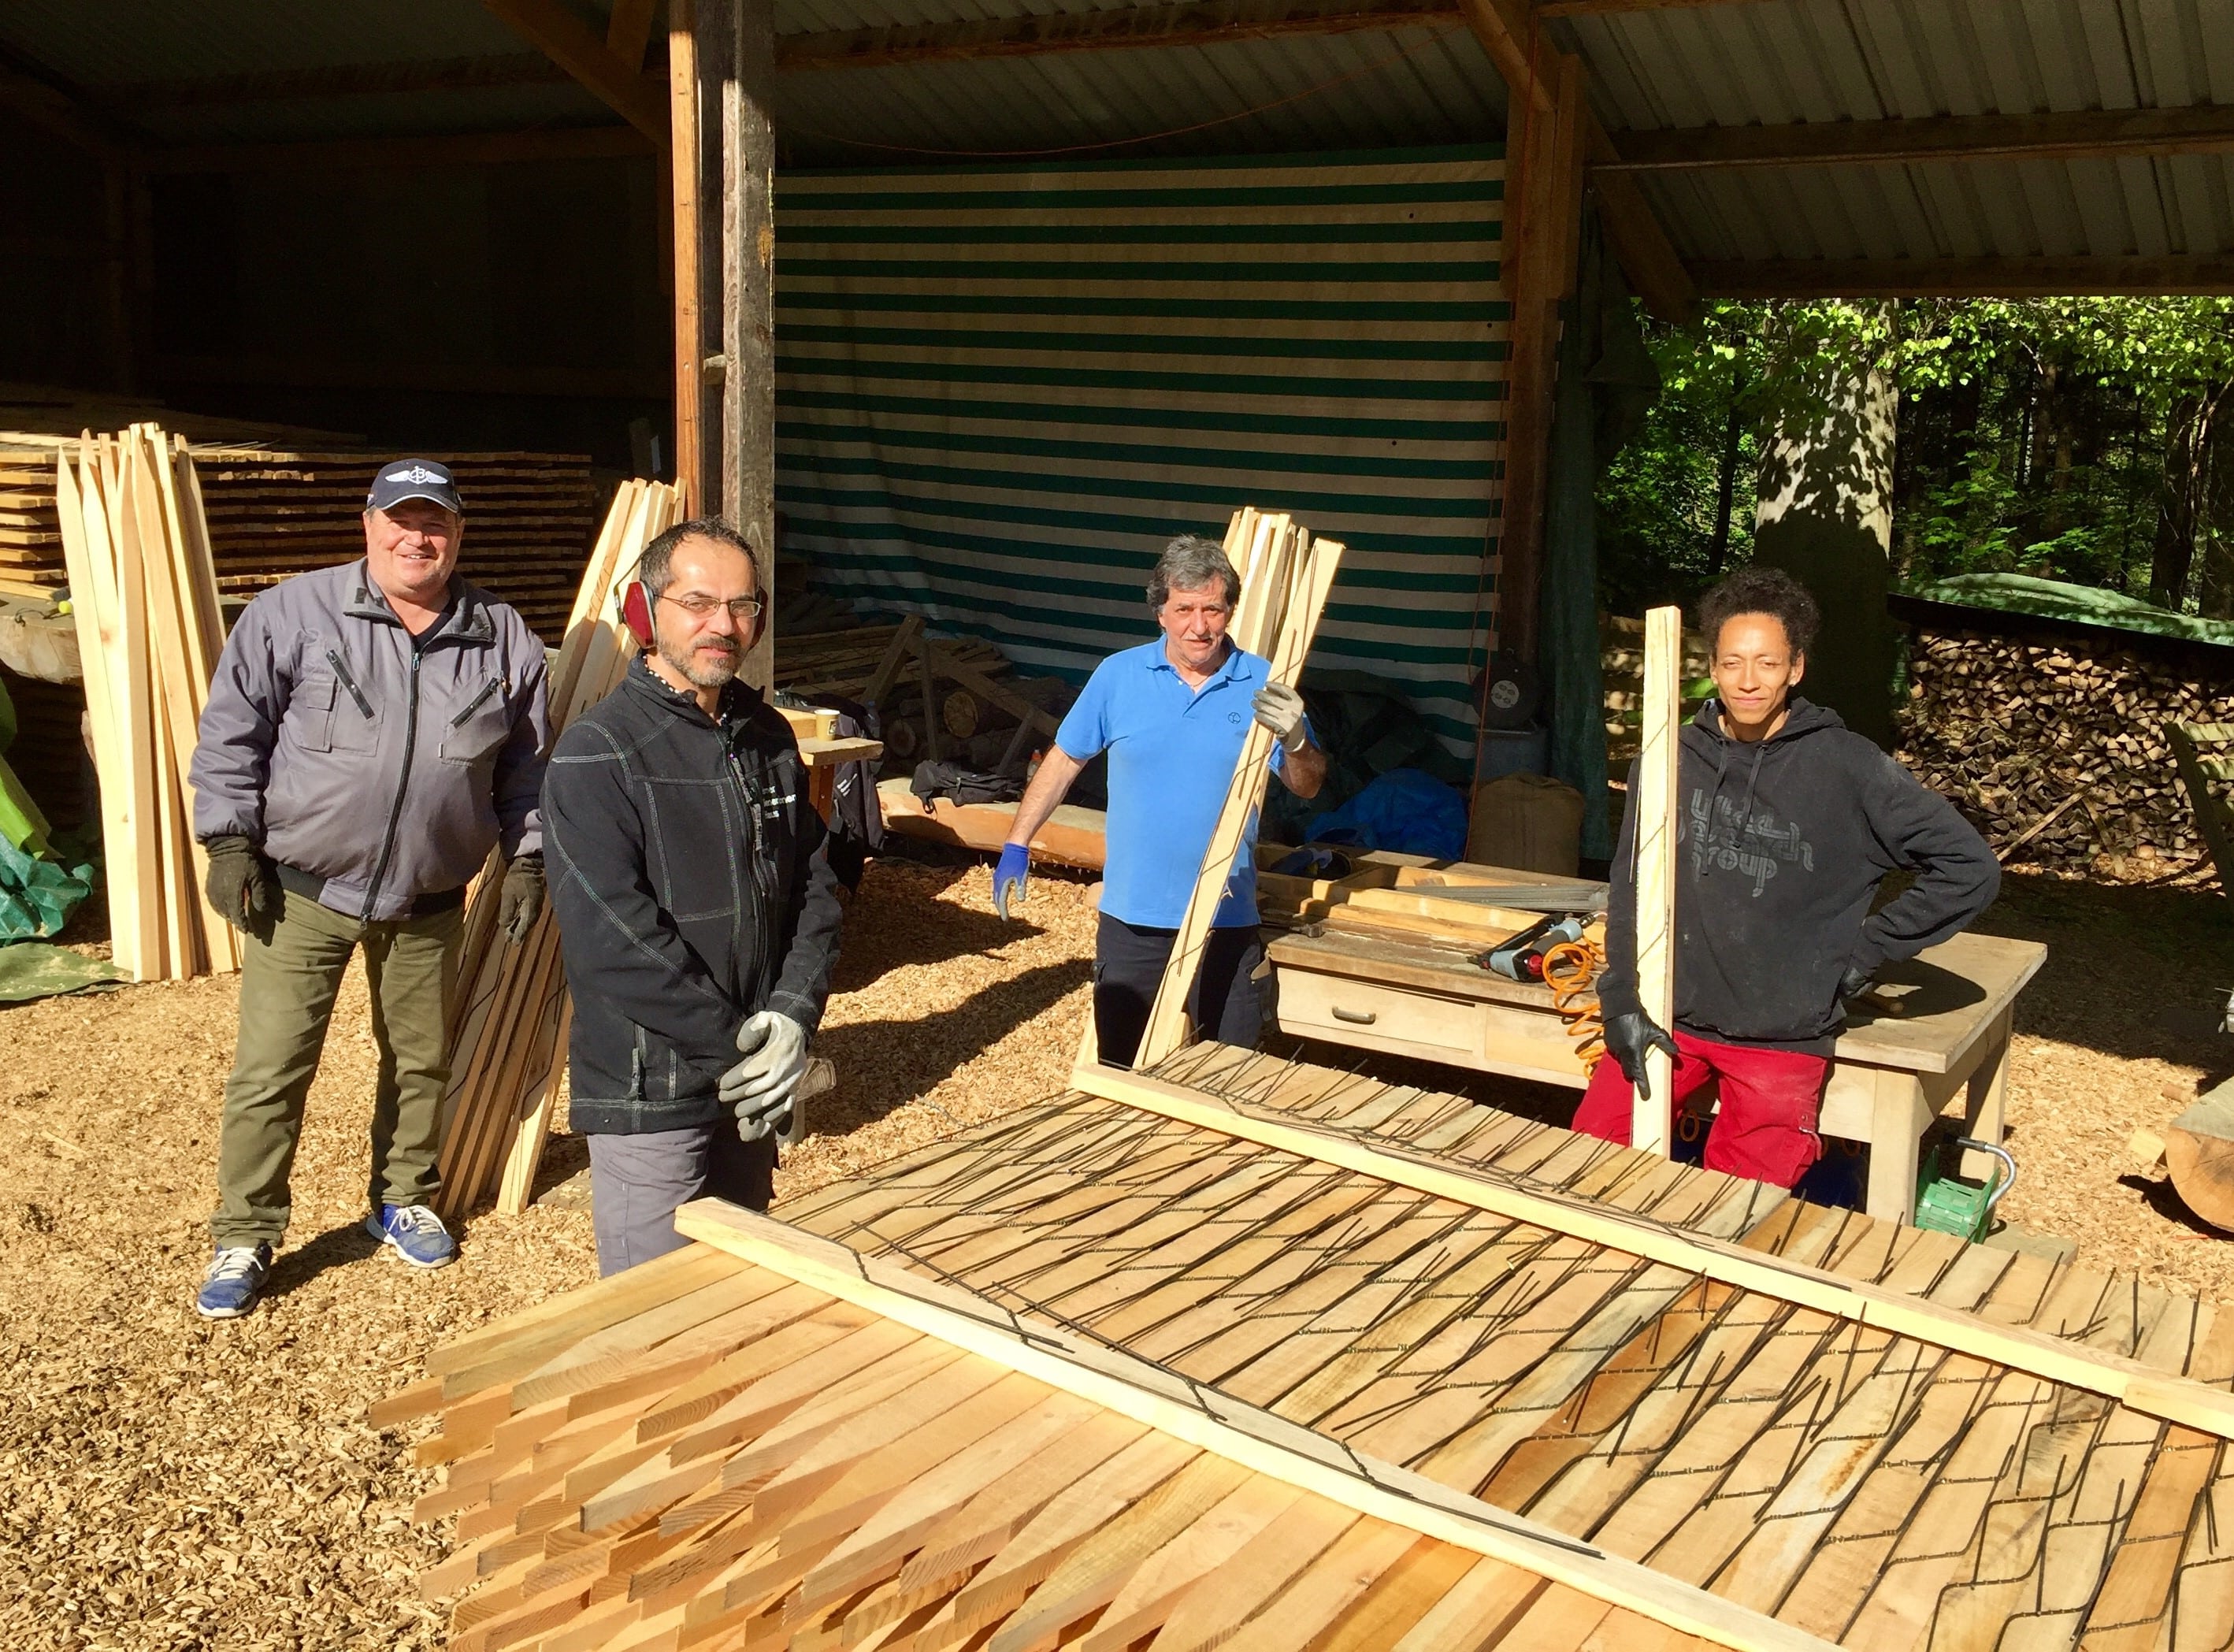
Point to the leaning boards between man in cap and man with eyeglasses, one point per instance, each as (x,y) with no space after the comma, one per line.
(510,1020)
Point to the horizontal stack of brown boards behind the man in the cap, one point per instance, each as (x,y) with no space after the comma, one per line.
(278,513)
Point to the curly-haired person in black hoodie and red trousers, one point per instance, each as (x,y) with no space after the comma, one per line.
(1786,826)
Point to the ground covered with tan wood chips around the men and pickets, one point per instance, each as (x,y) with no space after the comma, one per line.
(178,1485)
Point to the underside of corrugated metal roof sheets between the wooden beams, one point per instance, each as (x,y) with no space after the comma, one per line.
(1690,66)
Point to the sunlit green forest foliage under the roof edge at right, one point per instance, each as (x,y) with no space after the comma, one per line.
(2083,439)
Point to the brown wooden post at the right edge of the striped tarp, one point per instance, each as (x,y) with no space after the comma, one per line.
(1543,238)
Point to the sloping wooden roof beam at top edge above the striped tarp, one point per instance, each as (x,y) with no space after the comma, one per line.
(1199,23)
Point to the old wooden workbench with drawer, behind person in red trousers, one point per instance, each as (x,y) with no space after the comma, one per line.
(1940,1029)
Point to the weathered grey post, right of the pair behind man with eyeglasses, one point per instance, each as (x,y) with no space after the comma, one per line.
(750,298)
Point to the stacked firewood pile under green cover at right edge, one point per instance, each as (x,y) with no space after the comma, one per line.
(2056,748)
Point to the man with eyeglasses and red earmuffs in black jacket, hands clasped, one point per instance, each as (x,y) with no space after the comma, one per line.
(698,911)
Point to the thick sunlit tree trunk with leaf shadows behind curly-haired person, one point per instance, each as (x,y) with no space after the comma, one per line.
(1826,518)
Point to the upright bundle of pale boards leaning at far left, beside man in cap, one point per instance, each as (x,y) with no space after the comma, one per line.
(131,520)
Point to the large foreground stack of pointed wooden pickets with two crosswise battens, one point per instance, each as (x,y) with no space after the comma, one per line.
(1813,1425)
